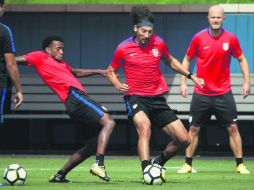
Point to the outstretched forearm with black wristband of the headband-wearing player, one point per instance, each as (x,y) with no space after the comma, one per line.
(178,67)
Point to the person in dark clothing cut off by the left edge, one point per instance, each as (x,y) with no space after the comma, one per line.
(8,65)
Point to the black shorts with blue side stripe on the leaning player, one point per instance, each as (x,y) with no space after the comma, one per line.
(82,109)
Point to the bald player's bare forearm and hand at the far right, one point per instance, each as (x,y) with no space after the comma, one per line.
(246,75)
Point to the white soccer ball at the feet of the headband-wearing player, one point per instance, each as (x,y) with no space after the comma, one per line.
(154,174)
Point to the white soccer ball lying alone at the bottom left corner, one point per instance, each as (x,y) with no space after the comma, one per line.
(15,174)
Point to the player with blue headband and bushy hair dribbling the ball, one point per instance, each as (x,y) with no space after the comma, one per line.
(145,86)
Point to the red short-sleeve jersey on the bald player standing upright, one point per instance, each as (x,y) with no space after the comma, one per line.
(213,55)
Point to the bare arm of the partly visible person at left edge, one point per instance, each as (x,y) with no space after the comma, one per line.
(14,74)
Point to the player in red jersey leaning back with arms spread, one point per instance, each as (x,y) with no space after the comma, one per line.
(61,78)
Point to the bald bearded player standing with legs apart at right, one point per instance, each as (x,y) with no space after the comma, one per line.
(213,48)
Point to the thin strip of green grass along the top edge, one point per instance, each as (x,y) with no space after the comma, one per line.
(125,1)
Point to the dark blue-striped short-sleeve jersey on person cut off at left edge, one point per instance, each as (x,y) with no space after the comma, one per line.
(6,46)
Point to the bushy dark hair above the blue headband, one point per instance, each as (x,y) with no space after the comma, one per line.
(141,13)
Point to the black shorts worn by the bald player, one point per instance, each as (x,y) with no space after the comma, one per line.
(223,107)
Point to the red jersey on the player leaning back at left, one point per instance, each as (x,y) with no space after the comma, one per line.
(57,75)
